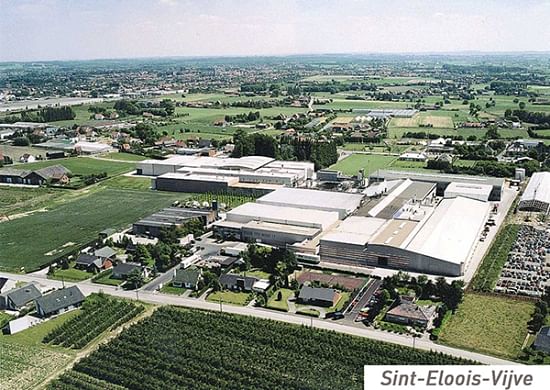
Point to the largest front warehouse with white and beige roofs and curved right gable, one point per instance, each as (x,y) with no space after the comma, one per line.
(440,243)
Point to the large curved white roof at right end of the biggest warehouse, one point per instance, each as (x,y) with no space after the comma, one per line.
(452,230)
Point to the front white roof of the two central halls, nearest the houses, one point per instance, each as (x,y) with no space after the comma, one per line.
(281,214)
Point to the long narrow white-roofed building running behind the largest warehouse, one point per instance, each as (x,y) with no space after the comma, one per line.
(441,180)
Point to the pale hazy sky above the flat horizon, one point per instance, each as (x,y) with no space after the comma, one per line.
(40,30)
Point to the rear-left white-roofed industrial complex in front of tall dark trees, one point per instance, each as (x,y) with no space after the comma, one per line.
(202,174)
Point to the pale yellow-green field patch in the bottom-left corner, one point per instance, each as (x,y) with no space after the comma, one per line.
(25,367)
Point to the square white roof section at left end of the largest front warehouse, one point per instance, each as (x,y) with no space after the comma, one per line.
(354,230)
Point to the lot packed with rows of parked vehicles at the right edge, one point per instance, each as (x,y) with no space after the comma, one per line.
(527,269)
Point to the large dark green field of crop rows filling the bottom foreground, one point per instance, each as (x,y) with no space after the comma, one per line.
(182,348)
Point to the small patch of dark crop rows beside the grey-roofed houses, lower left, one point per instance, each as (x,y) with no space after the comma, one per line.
(98,315)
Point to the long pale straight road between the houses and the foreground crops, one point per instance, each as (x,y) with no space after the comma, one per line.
(163,299)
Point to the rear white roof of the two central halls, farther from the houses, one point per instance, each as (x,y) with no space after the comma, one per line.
(313,199)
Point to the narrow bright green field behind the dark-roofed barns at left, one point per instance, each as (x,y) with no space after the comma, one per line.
(85,165)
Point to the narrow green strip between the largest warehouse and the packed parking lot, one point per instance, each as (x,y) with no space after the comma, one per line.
(489,270)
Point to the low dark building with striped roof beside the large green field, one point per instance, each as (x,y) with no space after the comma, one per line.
(171,216)
